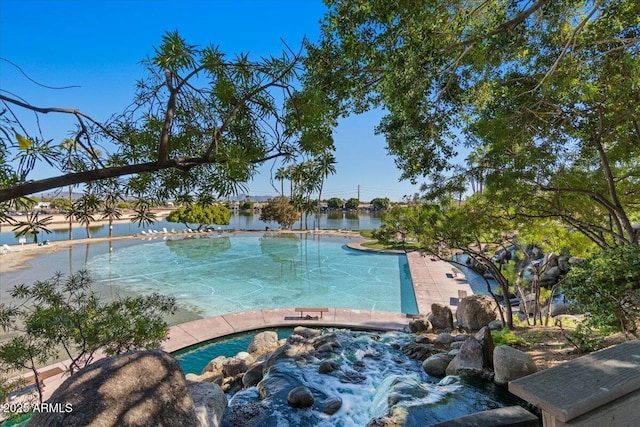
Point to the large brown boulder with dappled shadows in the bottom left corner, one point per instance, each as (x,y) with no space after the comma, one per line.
(139,388)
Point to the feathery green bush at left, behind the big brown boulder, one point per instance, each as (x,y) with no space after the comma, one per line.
(64,315)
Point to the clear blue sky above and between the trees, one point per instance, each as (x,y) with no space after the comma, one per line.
(98,45)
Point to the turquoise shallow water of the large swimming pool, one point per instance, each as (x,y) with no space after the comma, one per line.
(224,274)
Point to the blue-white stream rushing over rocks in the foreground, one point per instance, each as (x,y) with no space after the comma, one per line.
(348,378)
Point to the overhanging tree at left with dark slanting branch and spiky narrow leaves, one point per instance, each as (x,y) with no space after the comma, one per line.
(200,121)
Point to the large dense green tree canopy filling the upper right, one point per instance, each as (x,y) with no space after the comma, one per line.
(544,93)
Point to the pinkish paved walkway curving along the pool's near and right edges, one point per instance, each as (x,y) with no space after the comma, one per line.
(434,281)
